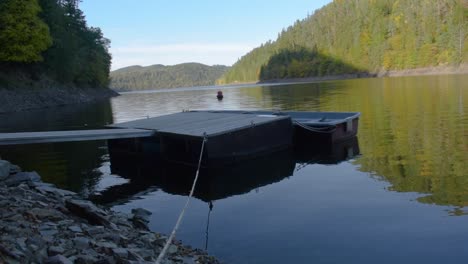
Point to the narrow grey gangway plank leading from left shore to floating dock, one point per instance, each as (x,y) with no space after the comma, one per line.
(71,135)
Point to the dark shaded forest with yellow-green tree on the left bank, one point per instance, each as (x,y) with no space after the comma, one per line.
(50,40)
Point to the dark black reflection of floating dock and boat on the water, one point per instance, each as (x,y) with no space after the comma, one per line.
(148,172)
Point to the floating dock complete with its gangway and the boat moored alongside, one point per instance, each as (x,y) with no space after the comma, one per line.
(229,136)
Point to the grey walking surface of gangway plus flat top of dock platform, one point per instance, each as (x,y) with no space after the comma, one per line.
(184,124)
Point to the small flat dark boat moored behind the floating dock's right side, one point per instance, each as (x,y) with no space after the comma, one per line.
(314,127)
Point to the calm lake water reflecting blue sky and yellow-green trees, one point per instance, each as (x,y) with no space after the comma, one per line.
(398,194)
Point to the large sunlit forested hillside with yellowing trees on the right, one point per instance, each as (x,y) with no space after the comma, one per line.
(361,36)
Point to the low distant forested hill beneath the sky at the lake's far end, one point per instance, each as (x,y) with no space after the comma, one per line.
(160,76)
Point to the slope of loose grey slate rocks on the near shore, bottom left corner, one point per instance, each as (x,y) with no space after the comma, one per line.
(43,224)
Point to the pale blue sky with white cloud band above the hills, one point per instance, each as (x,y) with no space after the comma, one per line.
(146,32)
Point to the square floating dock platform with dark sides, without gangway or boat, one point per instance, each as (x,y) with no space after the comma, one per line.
(229,137)
